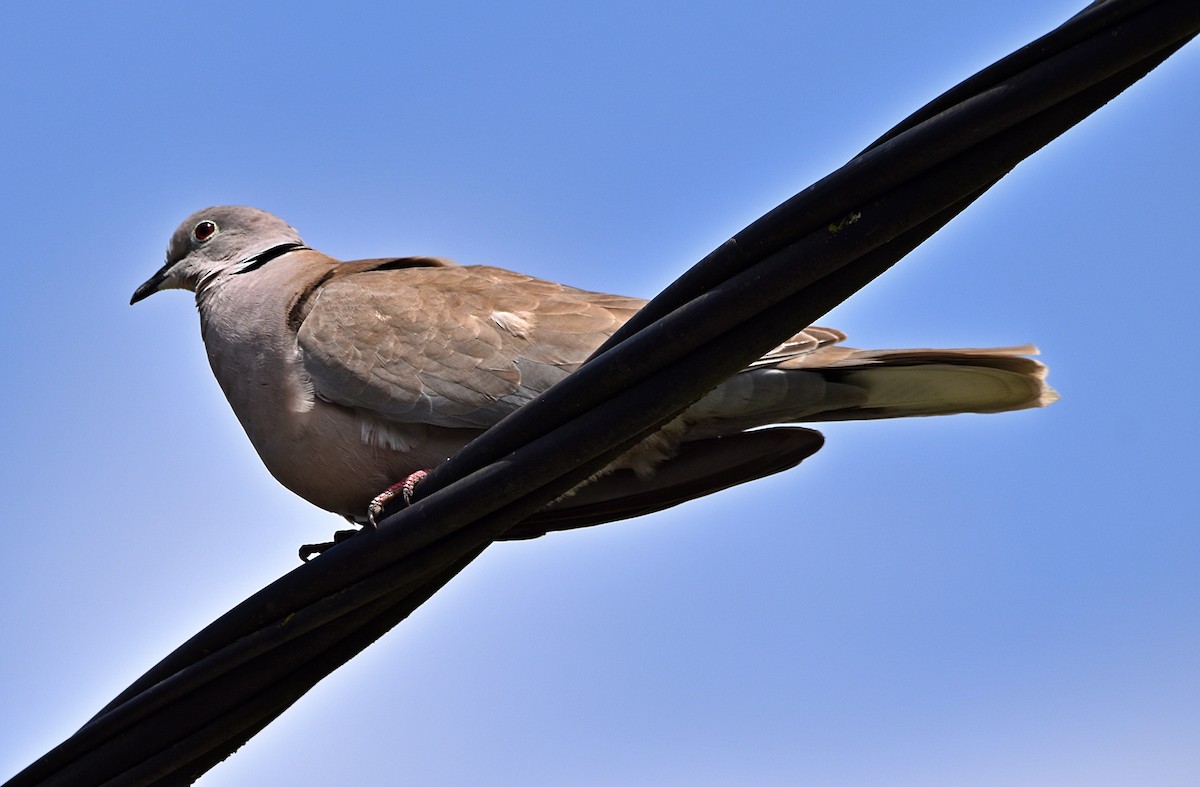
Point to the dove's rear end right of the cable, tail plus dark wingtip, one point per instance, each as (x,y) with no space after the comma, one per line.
(808,380)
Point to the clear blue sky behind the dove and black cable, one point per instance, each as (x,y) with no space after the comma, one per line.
(973,600)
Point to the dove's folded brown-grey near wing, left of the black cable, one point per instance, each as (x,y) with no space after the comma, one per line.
(455,347)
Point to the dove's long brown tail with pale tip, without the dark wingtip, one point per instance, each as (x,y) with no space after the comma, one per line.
(839,383)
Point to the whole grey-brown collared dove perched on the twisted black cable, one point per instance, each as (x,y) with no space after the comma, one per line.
(350,377)
